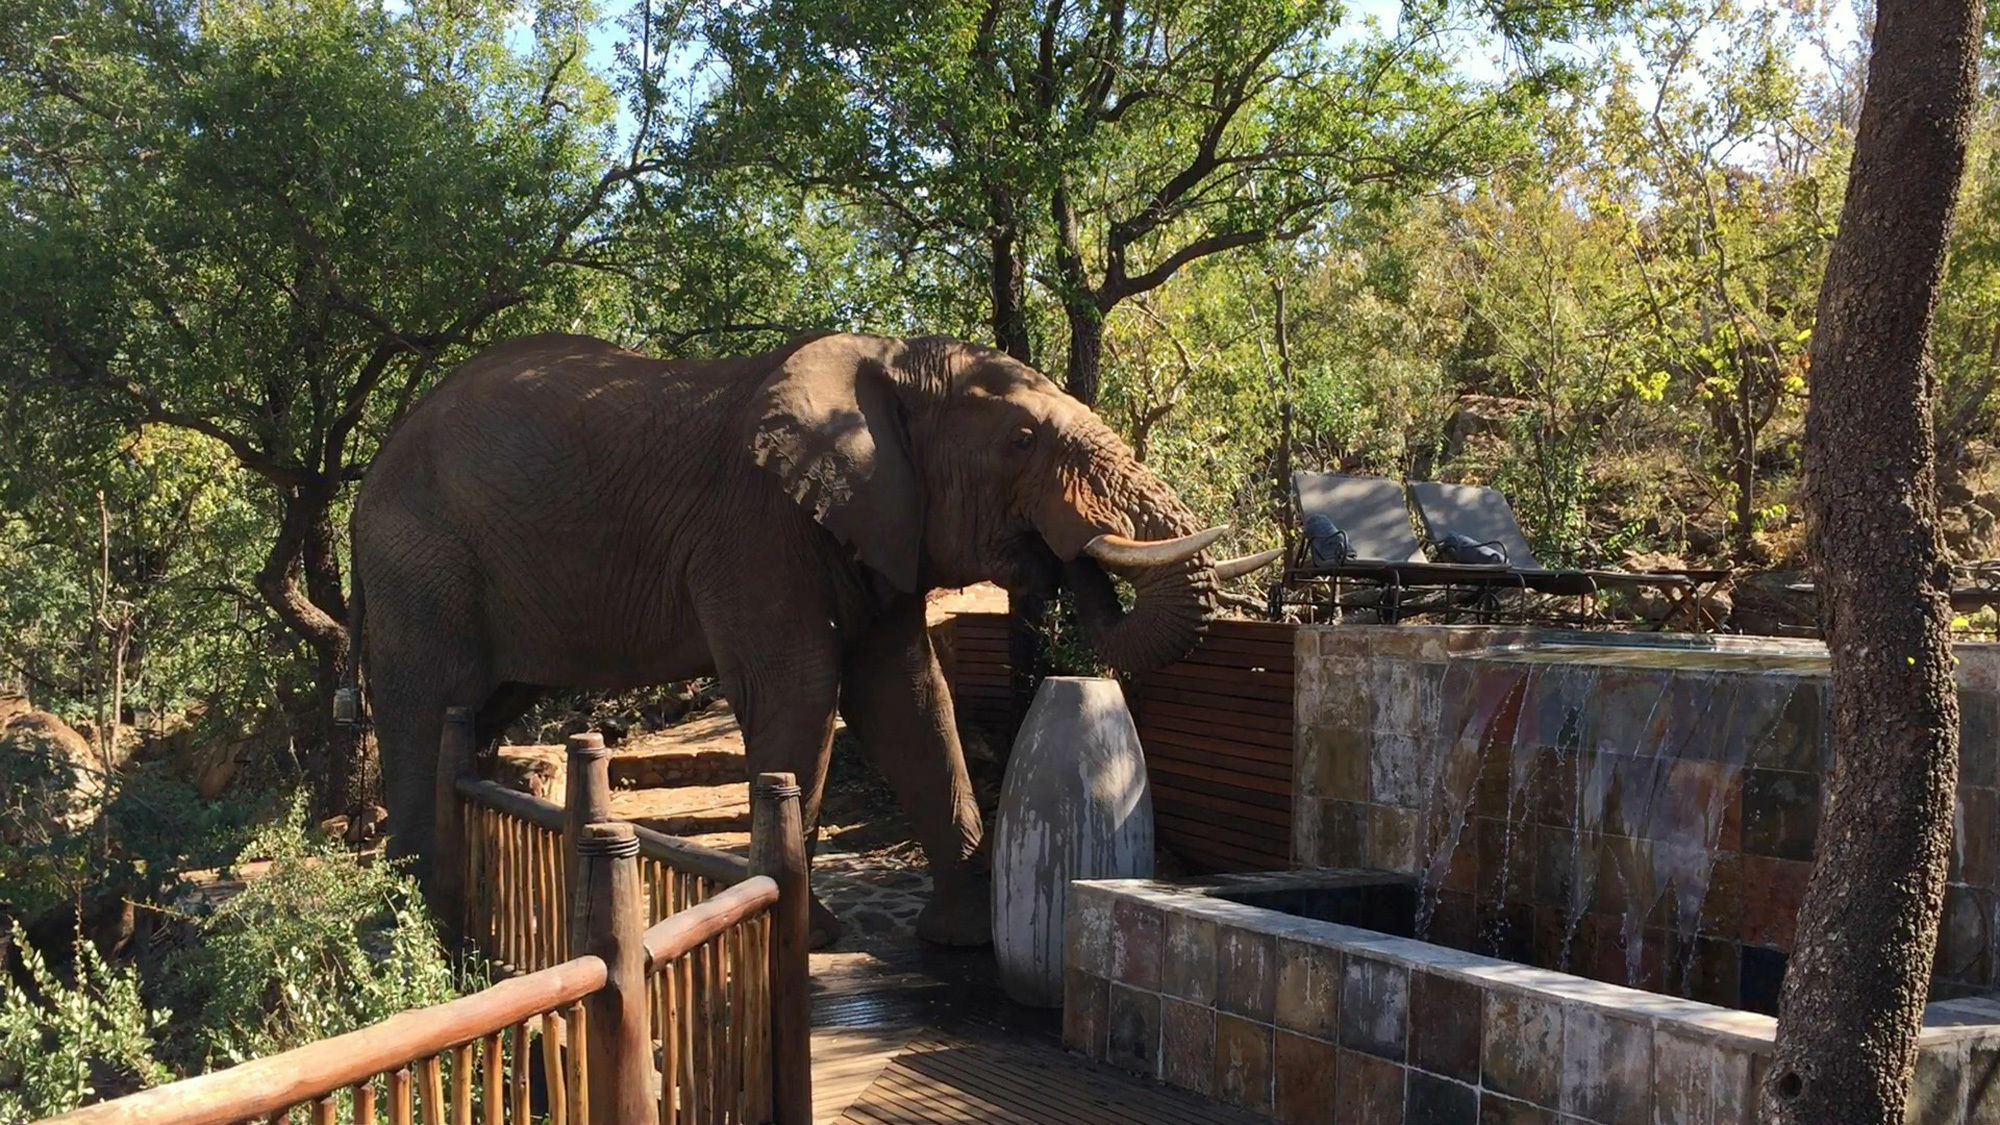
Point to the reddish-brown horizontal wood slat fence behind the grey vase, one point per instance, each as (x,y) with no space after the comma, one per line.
(1217,732)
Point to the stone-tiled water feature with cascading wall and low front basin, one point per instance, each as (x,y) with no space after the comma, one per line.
(1543,874)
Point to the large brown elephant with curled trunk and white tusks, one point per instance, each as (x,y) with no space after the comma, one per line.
(565,513)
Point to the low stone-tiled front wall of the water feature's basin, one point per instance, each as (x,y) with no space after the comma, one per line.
(1323,1024)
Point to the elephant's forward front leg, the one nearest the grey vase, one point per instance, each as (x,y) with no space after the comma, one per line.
(901,710)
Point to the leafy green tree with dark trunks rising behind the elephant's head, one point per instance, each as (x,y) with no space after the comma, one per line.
(1103,147)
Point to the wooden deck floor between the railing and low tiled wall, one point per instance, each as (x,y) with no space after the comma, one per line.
(933,1042)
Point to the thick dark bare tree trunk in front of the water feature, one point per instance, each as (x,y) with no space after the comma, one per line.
(1867,934)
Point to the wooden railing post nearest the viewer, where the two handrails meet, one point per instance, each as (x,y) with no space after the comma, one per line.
(611,924)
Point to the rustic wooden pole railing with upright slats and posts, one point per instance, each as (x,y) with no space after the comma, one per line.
(699,1020)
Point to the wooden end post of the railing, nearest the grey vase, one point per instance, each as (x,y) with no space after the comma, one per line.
(779,850)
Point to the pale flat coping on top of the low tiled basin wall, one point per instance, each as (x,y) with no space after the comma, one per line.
(1975,1020)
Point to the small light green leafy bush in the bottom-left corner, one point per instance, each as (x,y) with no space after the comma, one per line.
(65,1044)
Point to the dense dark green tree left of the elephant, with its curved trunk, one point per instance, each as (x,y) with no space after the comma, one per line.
(273,221)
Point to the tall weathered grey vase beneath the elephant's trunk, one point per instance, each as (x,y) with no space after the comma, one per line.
(1075,806)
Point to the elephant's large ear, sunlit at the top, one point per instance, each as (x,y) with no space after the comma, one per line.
(829,425)
